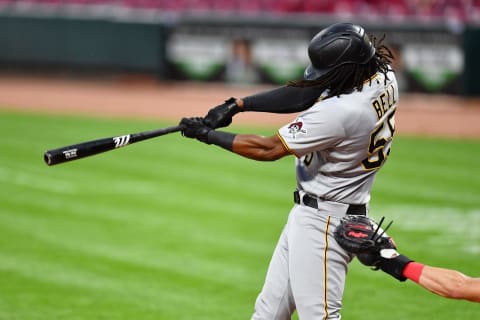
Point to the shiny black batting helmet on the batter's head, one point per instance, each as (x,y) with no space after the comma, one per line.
(336,45)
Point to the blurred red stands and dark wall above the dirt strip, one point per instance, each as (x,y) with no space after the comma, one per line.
(258,41)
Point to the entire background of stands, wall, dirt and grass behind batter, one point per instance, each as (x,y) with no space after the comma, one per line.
(170,229)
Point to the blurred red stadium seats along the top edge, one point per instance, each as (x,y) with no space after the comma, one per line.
(423,10)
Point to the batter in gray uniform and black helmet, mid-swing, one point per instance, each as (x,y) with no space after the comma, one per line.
(349,95)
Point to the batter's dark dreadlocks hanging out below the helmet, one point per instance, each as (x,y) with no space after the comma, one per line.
(348,77)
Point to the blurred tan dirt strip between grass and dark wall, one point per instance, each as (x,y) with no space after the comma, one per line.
(138,97)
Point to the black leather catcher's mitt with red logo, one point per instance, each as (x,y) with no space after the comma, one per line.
(360,234)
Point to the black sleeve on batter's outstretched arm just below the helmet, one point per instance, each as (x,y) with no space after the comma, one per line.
(285,99)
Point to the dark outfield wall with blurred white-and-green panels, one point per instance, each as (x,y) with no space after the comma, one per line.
(432,57)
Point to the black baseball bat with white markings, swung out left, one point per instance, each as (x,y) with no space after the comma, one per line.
(93,147)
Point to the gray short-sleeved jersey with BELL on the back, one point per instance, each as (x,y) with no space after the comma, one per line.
(341,142)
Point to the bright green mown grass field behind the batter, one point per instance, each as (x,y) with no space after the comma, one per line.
(174,229)
